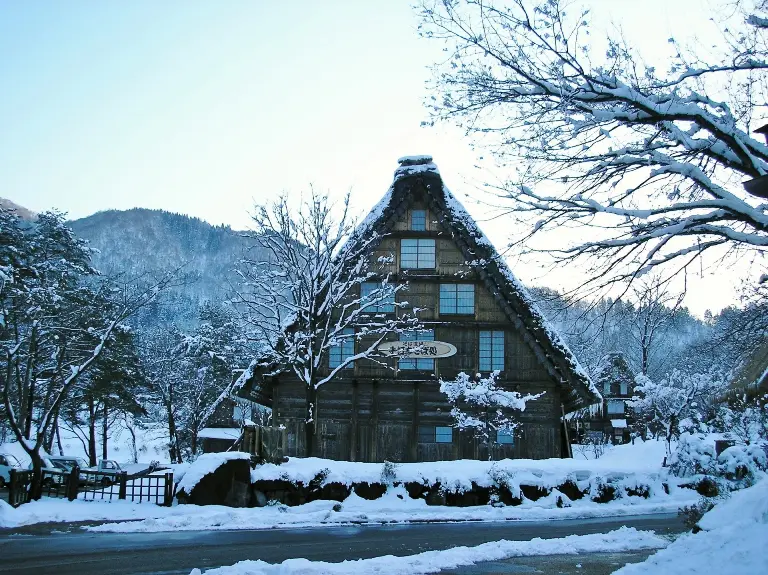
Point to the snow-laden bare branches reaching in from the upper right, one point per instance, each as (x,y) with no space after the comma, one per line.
(647,163)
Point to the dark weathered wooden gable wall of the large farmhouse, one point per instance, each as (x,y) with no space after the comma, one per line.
(373,413)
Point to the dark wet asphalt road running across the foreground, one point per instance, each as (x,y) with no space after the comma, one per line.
(82,553)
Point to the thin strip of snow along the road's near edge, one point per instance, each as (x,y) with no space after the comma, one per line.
(624,539)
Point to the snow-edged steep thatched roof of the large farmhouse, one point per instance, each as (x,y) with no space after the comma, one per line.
(480,254)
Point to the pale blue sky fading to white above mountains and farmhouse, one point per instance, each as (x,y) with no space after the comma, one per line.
(203,107)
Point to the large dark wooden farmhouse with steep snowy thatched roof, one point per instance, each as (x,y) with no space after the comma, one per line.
(471,301)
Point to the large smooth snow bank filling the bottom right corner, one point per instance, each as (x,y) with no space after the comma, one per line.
(733,540)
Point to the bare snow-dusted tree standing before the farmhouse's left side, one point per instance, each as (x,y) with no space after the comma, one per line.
(306,303)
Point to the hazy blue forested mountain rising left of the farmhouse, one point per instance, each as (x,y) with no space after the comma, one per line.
(142,243)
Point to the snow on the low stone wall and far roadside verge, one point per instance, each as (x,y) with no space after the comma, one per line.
(624,465)
